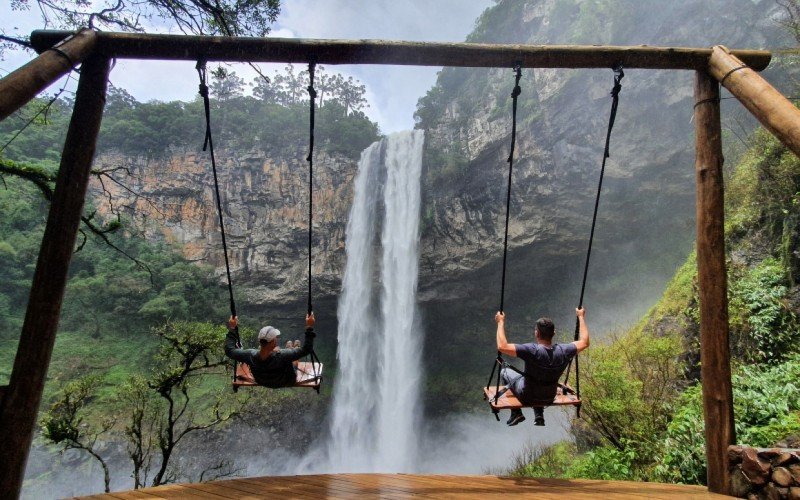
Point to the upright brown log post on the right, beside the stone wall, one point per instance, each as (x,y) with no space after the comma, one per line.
(715,366)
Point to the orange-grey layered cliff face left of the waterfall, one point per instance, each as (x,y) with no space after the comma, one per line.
(265,210)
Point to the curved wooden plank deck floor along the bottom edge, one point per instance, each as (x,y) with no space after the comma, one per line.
(409,485)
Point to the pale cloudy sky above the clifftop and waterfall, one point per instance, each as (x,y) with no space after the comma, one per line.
(392,91)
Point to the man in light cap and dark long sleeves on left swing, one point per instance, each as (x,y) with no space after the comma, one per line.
(271,367)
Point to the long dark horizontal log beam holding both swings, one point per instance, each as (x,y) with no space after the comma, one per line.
(288,50)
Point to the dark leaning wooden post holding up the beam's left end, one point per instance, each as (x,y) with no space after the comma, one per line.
(20,404)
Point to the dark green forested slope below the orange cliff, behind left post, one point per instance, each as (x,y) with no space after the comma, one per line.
(111,301)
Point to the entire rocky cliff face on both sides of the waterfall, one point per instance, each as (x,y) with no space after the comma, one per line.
(646,213)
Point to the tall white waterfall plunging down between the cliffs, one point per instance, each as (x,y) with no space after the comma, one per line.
(376,393)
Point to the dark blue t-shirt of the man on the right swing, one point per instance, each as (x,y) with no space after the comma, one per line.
(543,368)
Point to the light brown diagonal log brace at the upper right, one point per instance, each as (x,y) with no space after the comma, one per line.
(773,110)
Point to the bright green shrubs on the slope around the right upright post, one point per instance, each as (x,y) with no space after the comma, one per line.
(643,410)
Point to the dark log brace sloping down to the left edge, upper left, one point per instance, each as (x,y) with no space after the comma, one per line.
(22,85)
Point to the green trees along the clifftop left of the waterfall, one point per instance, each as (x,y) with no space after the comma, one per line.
(274,122)
